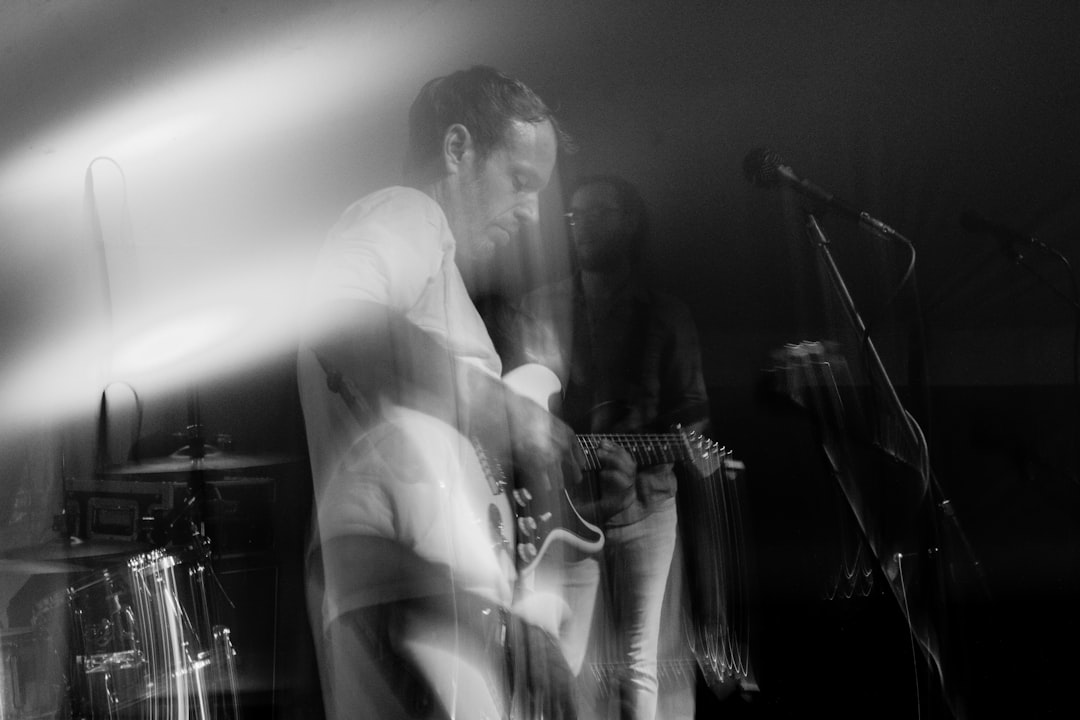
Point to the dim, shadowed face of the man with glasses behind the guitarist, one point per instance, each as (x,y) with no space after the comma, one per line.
(600,227)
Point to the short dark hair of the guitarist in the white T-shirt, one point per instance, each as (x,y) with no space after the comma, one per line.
(483,100)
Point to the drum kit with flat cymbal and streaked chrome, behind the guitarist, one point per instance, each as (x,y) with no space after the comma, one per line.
(131,633)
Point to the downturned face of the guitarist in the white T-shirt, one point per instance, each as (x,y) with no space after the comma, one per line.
(489,201)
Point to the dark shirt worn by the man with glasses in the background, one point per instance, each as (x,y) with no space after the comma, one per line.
(629,362)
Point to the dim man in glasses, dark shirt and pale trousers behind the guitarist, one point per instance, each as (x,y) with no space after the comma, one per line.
(629,361)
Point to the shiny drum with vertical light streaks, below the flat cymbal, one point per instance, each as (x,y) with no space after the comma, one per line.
(139,641)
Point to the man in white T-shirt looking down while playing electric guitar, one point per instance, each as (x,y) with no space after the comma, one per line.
(414,569)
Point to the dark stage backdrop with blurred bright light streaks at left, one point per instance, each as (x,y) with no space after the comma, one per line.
(242,130)
